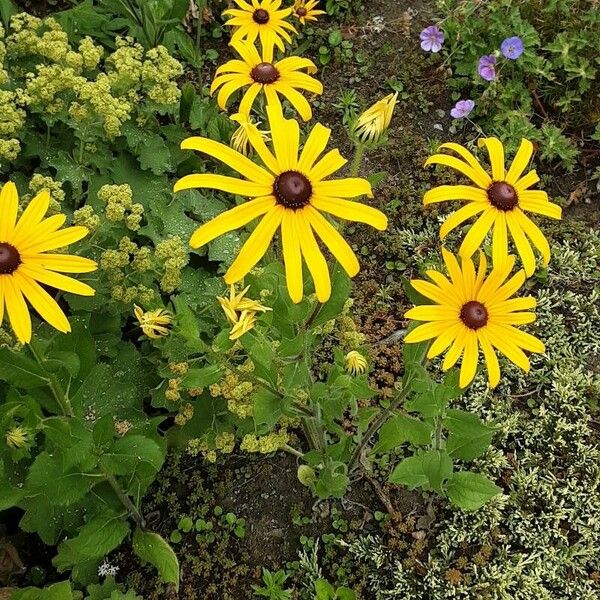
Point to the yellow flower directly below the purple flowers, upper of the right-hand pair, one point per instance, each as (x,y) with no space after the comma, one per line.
(502,200)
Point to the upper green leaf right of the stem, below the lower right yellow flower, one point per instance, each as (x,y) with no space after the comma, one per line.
(469,438)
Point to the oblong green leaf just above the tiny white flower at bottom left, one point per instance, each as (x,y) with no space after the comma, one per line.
(95,540)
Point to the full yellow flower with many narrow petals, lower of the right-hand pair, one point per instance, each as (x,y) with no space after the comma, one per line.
(472,312)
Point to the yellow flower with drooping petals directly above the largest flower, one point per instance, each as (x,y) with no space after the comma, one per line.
(260,73)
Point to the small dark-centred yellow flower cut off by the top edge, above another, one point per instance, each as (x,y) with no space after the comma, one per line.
(261,20)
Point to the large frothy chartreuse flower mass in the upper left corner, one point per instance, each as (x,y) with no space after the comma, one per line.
(78,85)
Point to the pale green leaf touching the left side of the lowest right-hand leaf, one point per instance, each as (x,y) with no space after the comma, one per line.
(427,470)
